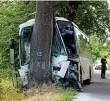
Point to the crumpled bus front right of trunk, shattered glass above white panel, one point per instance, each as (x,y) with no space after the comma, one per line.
(59,55)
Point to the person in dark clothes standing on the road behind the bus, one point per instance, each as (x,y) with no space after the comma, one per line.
(103,68)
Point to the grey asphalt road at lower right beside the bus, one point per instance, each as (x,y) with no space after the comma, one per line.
(98,90)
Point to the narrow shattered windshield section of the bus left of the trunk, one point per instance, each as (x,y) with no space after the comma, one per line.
(25,39)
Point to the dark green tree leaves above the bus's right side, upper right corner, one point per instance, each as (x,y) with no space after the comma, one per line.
(93,18)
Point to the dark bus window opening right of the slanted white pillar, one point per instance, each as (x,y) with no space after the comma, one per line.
(67,32)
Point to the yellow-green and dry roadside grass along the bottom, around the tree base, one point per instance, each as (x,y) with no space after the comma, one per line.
(43,93)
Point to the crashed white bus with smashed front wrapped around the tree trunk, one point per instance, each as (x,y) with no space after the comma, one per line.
(71,52)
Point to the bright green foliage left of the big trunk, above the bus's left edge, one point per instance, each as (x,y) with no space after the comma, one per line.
(11,15)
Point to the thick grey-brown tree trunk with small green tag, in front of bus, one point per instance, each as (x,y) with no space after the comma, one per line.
(41,42)
